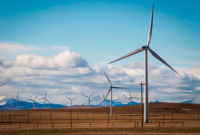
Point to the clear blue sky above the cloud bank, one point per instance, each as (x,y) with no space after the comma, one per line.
(106,29)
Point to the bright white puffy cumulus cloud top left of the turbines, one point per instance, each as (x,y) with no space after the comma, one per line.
(64,59)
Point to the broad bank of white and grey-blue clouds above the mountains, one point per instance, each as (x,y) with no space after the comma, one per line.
(69,74)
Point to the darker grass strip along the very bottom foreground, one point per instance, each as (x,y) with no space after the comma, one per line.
(110,131)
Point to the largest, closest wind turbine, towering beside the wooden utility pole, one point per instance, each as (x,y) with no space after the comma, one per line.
(146,48)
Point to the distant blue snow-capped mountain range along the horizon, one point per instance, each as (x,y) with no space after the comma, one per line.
(10,104)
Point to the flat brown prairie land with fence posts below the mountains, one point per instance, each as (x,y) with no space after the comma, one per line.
(164,118)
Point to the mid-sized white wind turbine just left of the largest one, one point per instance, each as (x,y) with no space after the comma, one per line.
(110,91)
